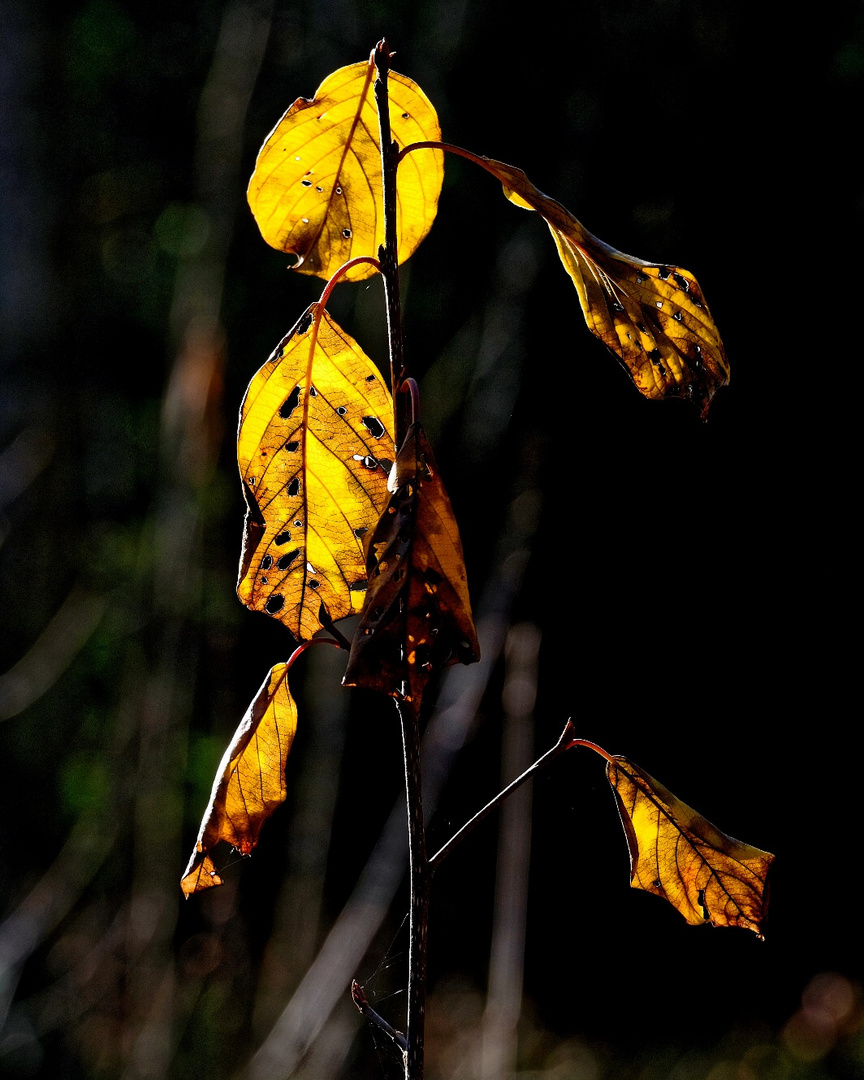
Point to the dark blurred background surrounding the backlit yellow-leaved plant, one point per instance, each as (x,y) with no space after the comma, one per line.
(691,584)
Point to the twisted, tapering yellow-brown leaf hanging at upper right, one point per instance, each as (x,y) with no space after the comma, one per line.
(652,316)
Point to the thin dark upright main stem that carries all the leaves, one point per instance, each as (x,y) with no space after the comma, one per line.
(421,875)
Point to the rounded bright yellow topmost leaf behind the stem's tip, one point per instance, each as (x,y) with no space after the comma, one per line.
(317,187)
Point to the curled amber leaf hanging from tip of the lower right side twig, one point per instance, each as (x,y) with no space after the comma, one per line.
(677,854)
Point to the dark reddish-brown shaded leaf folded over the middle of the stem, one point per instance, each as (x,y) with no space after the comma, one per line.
(417,617)
